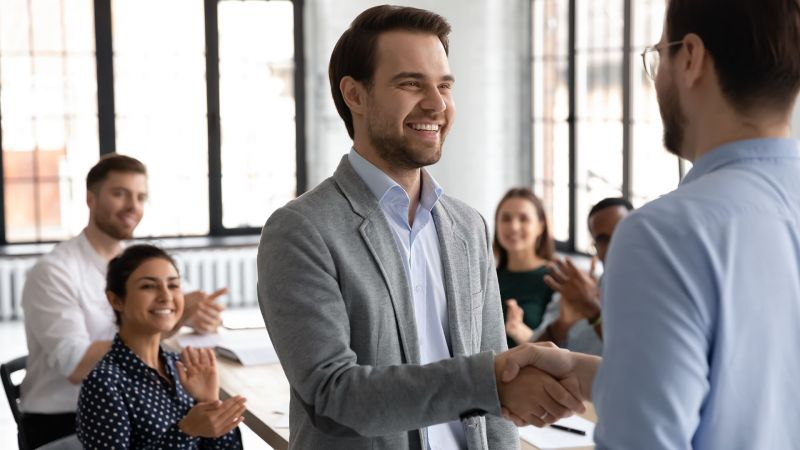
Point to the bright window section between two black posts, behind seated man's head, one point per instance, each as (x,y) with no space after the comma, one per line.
(160,101)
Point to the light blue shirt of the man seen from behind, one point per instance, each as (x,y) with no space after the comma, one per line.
(701,309)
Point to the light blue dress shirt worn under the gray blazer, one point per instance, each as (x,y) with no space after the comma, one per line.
(419,246)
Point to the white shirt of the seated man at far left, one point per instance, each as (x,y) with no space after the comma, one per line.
(65,311)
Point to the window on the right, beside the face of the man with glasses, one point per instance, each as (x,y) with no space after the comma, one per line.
(596,128)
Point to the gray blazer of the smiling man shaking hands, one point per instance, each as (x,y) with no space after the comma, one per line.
(339,310)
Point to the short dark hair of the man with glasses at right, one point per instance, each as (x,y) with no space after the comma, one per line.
(755,46)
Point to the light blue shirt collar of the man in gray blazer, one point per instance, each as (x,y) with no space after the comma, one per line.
(381,184)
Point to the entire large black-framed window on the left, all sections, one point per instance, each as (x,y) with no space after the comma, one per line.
(203,92)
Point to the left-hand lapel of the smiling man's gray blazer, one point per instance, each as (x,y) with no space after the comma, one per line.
(379,239)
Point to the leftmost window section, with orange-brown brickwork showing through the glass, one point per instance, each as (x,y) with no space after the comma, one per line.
(48,116)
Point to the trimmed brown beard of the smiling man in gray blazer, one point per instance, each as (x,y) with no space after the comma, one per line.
(396,149)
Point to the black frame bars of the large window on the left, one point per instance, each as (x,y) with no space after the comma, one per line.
(106,113)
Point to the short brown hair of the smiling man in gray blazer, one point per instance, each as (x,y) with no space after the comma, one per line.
(354,53)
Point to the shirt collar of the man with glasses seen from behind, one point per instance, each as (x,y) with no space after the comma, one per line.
(761,149)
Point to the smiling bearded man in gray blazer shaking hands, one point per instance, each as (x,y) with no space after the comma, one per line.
(379,292)
